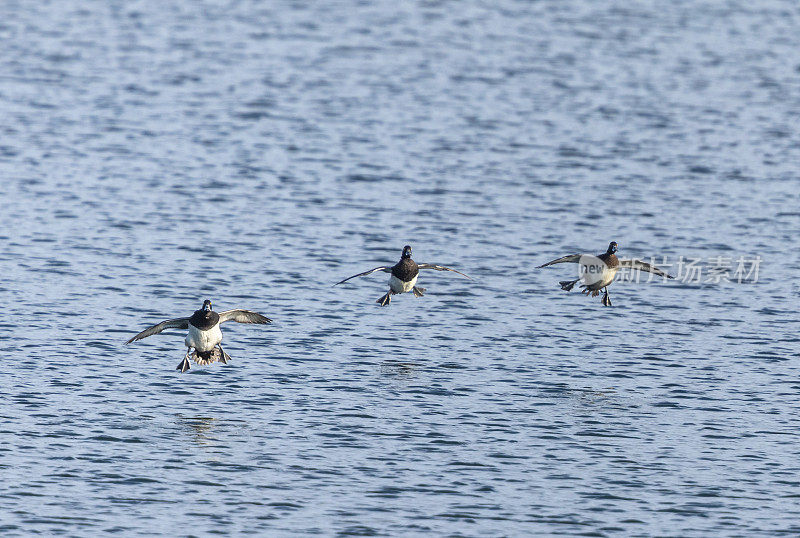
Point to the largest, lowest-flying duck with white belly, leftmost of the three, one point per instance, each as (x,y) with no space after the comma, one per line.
(204,334)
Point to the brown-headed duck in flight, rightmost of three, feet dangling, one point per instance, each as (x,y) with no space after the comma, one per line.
(604,272)
